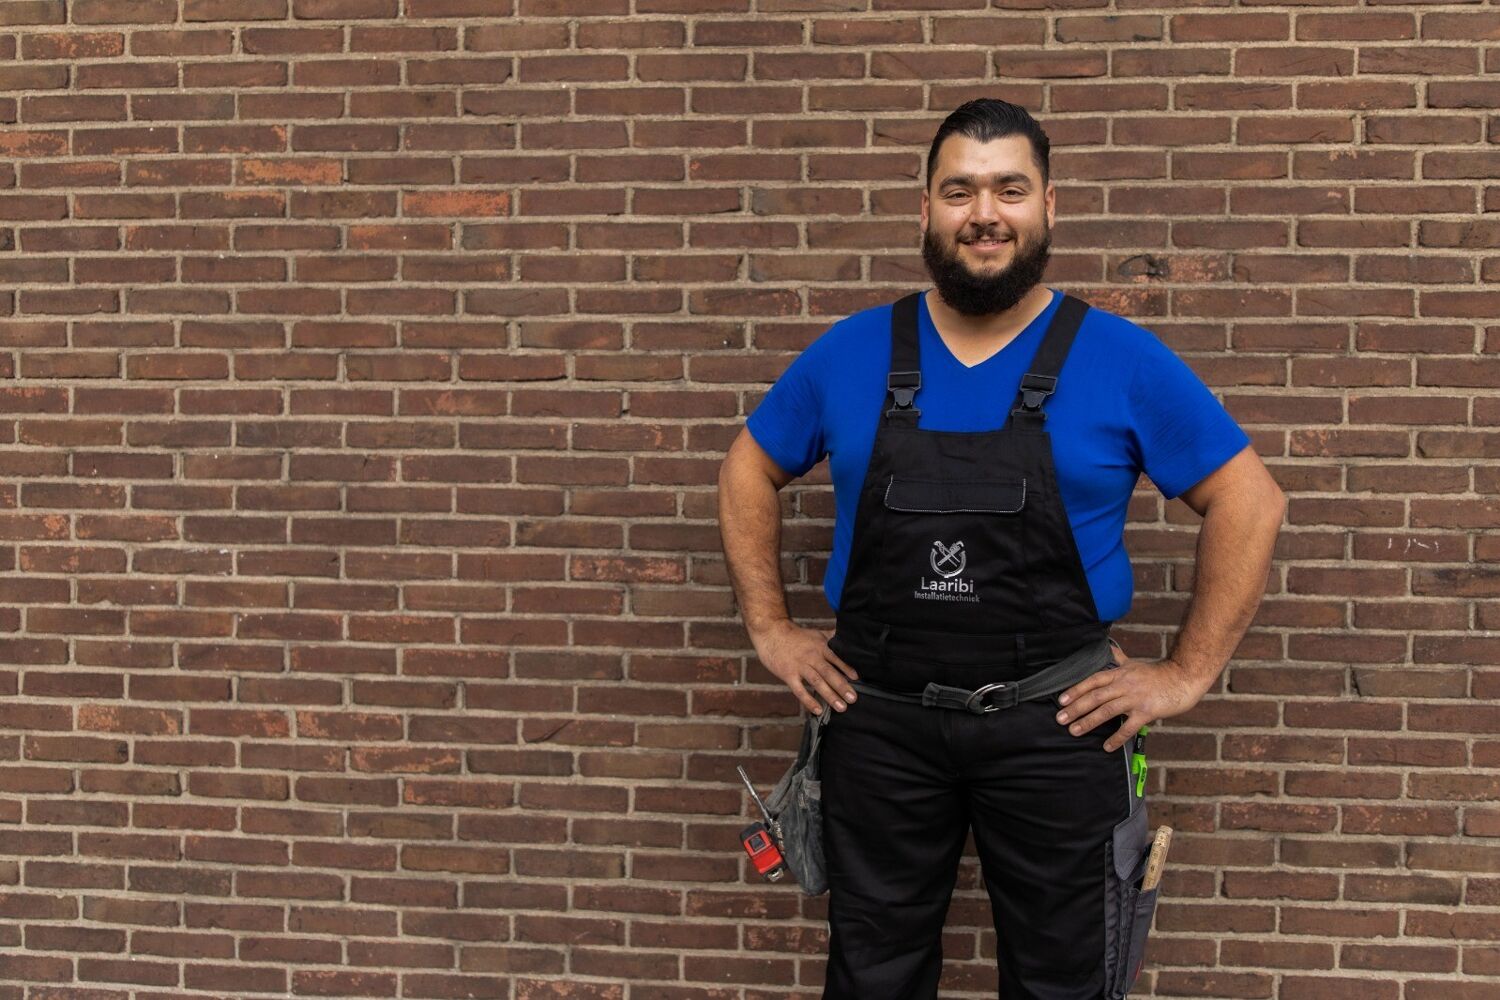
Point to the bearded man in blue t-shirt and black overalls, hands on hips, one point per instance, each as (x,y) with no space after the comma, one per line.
(985,440)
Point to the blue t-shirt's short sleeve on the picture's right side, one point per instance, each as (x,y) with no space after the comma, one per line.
(1183,431)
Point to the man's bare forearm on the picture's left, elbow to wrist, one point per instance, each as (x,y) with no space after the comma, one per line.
(751,533)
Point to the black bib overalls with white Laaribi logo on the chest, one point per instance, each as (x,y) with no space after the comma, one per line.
(965,572)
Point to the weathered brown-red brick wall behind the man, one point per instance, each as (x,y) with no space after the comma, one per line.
(370,368)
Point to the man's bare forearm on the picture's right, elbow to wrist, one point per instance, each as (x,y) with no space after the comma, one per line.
(1234,558)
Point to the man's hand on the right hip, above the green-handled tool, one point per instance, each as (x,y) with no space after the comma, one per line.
(1142,690)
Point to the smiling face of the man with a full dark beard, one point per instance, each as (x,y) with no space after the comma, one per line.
(986,224)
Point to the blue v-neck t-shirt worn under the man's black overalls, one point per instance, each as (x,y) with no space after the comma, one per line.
(1126,406)
